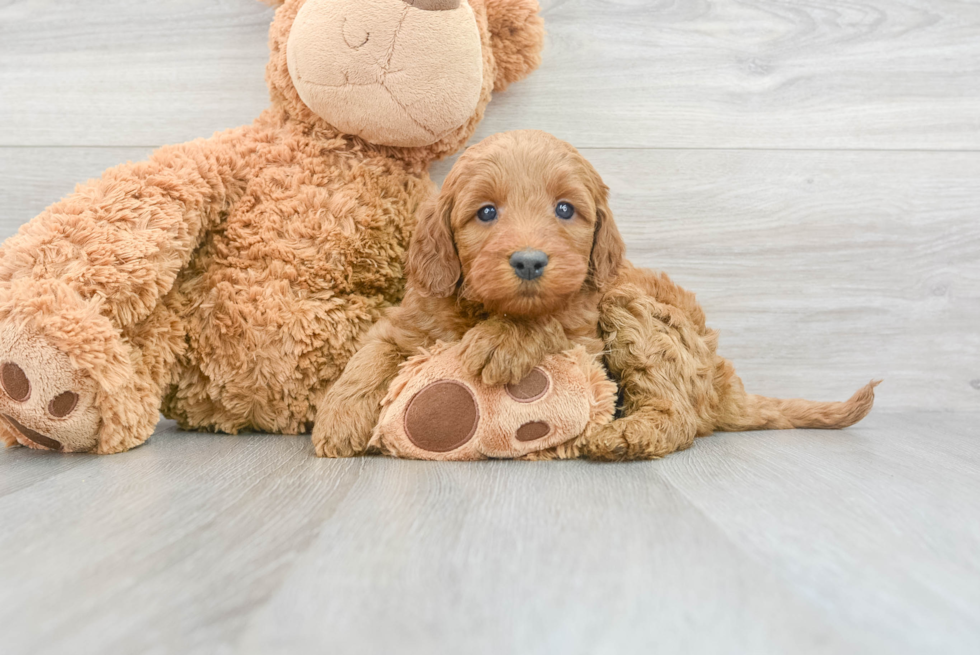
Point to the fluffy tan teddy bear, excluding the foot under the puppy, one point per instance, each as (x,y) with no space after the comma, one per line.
(227,280)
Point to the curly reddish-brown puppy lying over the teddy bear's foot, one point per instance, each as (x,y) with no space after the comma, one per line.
(518,257)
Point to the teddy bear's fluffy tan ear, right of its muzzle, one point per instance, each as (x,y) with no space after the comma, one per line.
(517,35)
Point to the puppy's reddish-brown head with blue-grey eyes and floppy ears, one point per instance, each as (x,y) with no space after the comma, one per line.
(522,224)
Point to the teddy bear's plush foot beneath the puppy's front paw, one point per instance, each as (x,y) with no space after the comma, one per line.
(436,410)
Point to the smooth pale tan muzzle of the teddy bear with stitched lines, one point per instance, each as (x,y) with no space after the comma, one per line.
(384,70)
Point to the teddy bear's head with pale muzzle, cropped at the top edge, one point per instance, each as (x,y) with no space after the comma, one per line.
(411,74)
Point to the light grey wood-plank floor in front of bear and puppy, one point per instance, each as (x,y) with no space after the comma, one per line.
(861,541)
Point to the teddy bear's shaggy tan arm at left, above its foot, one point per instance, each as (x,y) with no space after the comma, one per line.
(120,240)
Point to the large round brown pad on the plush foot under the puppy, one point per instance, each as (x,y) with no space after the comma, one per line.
(442,417)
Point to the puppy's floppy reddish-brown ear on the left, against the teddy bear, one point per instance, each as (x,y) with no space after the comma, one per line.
(433,266)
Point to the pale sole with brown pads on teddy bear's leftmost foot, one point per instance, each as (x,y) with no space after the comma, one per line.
(44,402)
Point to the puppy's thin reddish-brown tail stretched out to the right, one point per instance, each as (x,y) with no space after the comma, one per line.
(749,412)
